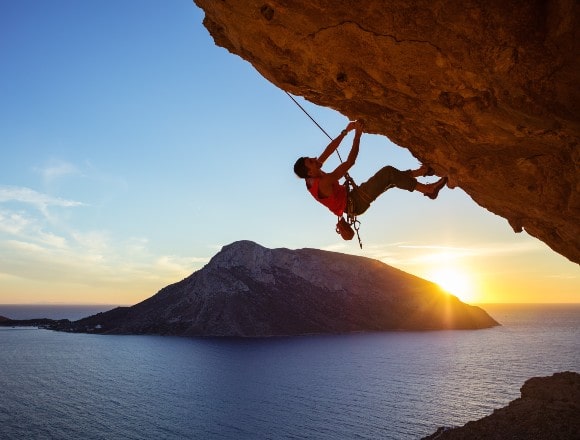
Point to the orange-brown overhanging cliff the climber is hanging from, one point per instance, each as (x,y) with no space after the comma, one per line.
(484,90)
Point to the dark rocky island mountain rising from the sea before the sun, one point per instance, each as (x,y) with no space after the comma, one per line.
(249,290)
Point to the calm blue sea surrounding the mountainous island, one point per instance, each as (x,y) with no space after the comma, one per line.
(387,385)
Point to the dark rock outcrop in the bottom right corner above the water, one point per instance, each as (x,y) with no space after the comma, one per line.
(549,409)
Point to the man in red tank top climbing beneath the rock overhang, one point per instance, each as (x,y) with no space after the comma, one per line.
(326,189)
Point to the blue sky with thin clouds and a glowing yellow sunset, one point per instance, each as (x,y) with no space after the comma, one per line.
(133,149)
